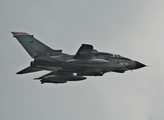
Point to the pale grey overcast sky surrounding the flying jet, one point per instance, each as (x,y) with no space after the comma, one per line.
(131,28)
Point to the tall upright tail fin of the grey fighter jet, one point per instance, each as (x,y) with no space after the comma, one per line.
(33,46)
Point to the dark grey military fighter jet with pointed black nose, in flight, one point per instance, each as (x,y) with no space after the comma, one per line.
(64,67)
